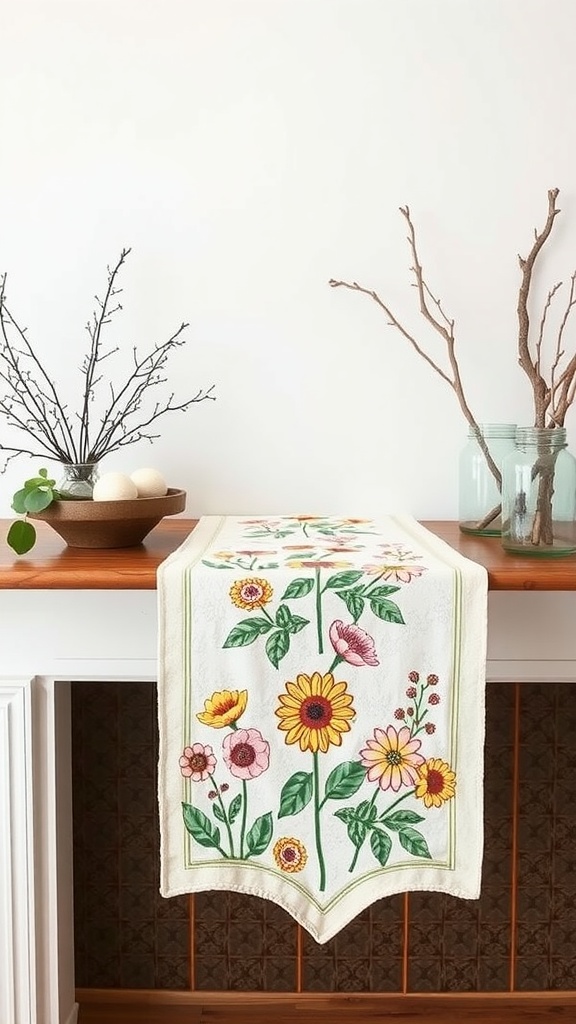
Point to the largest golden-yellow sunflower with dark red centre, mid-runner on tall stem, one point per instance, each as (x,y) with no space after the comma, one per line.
(315,712)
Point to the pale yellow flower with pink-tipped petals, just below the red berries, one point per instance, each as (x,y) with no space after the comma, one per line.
(392,758)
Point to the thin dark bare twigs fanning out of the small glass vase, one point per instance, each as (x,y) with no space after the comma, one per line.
(32,405)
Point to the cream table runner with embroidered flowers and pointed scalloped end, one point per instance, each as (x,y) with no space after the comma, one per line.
(321,712)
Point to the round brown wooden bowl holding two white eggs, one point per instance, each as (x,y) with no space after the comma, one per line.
(122,524)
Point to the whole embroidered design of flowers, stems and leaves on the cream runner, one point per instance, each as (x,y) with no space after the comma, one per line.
(399,779)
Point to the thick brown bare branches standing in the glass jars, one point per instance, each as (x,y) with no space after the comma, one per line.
(553,397)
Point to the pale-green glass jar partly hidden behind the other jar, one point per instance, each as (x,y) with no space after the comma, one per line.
(479,493)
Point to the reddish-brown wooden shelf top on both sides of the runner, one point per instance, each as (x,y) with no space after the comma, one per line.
(52,566)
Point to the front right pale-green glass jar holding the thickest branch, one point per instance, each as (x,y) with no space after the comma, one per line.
(540,495)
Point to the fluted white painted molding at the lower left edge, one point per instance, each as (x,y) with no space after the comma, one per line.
(18,962)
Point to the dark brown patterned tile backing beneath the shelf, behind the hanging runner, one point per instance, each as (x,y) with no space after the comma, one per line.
(129,936)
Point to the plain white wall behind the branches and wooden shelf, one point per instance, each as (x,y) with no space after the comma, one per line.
(249,151)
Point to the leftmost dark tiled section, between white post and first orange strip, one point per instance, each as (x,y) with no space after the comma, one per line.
(127,935)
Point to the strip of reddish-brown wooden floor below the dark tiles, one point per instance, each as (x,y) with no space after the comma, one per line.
(533,1009)
